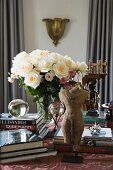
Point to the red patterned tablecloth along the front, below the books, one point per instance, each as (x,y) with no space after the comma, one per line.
(91,162)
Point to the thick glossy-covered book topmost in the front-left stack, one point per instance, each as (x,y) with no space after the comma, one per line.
(13,140)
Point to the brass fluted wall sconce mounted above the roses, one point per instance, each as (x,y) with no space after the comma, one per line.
(55,28)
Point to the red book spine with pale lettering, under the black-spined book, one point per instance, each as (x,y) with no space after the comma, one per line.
(32,128)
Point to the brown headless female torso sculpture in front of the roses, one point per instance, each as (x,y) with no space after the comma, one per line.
(72,124)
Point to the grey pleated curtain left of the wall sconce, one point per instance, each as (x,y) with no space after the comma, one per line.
(11,43)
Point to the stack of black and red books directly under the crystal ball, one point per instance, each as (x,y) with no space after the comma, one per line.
(30,121)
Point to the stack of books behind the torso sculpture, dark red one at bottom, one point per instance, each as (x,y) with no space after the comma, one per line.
(102,144)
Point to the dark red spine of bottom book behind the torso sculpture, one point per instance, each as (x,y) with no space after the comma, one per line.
(84,149)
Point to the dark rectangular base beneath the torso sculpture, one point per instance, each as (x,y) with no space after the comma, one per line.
(72,159)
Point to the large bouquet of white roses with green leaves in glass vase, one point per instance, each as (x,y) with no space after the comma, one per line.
(42,74)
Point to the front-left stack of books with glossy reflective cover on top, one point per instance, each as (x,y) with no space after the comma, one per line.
(22,144)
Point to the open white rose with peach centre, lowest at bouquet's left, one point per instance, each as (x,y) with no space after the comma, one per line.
(32,79)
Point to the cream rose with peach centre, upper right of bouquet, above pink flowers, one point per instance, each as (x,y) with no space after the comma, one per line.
(61,70)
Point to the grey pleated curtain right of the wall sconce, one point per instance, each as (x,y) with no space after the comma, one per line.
(100,43)
